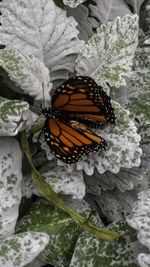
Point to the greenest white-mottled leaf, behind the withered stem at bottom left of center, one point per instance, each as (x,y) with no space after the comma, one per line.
(62,230)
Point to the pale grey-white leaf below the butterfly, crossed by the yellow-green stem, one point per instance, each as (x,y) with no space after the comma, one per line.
(61,180)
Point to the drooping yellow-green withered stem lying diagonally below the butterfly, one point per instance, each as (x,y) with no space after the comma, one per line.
(46,190)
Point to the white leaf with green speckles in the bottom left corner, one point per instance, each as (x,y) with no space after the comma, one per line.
(20,249)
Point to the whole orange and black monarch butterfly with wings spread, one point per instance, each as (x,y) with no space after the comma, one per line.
(79,103)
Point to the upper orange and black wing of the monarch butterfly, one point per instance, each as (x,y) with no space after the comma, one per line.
(85,101)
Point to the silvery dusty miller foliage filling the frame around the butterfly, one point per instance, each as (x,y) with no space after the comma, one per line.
(47,216)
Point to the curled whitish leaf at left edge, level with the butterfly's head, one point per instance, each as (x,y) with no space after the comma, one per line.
(15,116)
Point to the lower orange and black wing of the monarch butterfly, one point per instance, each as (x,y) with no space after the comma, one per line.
(69,141)
